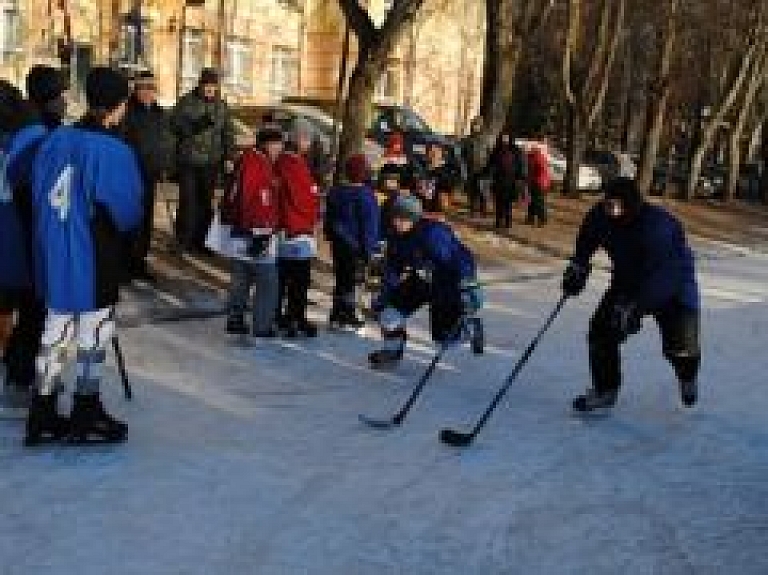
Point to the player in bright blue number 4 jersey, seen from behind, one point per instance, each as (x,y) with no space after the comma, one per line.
(86,192)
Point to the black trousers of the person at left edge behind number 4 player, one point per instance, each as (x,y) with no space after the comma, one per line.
(24,344)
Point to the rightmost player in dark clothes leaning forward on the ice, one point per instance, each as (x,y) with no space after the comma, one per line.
(653,275)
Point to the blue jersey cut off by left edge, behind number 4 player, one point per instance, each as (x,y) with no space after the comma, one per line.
(17,152)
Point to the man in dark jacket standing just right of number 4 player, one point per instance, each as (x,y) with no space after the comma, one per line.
(148,130)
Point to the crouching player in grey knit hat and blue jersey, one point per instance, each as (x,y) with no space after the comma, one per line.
(426,264)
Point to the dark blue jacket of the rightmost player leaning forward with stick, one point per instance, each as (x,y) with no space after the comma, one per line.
(652,262)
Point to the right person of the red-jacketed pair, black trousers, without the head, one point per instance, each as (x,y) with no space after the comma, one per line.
(298,203)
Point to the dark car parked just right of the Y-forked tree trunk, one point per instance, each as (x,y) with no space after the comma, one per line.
(416,132)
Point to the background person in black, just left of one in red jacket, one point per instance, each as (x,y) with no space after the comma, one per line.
(508,168)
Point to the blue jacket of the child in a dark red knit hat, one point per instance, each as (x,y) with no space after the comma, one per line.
(352,216)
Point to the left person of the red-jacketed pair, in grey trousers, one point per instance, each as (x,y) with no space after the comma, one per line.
(251,207)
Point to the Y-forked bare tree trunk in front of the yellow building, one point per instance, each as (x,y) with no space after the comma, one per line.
(375,45)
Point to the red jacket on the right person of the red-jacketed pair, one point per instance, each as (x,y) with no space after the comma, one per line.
(298,195)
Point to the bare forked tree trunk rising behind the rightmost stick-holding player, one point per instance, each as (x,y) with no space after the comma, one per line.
(586,73)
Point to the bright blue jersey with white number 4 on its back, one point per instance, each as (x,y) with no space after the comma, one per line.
(87,191)
